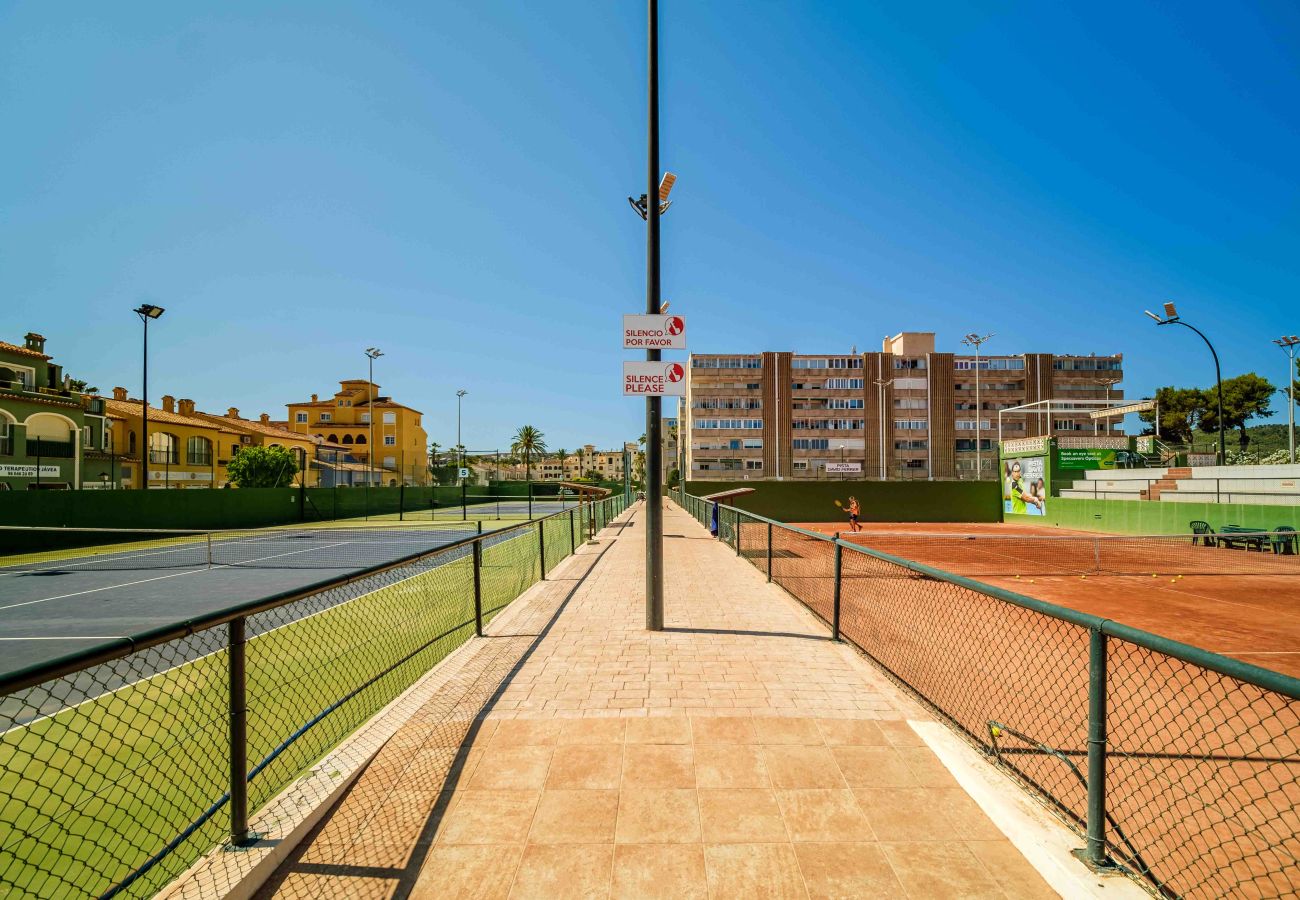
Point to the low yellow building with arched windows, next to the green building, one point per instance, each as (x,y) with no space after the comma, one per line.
(185,452)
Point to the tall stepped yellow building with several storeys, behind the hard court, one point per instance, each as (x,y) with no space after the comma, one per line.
(356,416)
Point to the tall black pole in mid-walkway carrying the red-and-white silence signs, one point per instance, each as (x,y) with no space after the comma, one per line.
(655,449)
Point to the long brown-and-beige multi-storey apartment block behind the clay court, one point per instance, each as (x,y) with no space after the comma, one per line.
(904,413)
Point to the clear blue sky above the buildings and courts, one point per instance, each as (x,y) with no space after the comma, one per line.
(300,181)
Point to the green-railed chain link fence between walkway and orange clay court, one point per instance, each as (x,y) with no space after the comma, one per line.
(1176,765)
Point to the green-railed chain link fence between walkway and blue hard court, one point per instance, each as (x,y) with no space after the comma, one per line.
(124,764)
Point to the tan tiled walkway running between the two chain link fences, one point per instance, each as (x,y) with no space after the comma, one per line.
(739,754)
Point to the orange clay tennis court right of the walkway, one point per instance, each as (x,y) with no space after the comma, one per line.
(1203,771)
